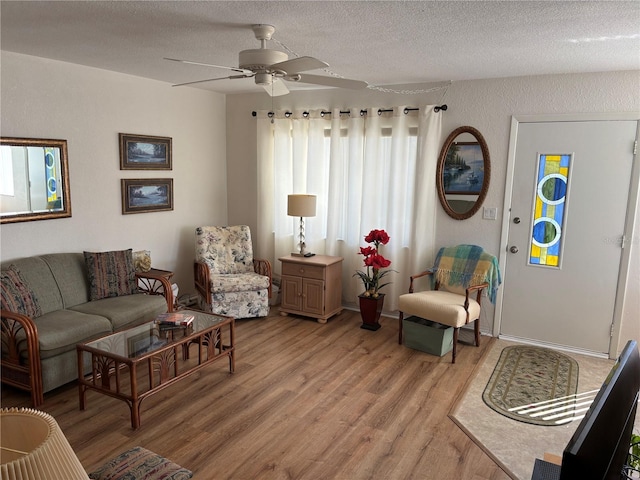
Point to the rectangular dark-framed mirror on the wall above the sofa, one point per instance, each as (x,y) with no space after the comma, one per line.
(34,180)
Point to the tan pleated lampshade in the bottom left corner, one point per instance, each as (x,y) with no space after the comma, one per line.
(33,447)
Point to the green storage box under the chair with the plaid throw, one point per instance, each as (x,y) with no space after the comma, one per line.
(427,336)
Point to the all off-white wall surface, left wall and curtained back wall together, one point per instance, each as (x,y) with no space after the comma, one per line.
(88,107)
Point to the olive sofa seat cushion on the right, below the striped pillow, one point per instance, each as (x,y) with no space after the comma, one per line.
(126,311)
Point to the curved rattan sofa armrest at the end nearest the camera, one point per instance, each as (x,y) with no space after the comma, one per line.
(20,361)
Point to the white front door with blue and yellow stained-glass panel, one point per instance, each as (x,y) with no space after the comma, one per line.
(566,221)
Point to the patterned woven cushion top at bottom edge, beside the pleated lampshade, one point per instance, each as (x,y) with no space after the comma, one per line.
(140,463)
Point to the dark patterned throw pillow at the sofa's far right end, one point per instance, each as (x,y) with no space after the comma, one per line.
(111,274)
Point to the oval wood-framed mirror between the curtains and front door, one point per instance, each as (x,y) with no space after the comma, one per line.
(463,173)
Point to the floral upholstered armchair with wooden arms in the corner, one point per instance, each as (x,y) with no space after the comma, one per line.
(228,280)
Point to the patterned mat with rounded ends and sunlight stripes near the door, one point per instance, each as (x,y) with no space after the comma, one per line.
(534,385)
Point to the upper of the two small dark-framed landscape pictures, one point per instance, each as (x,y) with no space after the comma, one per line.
(138,152)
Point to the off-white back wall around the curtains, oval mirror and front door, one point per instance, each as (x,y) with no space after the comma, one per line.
(487,105)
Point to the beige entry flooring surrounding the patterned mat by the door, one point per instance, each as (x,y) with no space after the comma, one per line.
(514,446)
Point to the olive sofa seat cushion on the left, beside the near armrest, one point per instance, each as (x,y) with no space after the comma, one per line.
(61,330)
